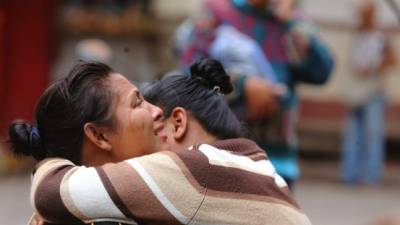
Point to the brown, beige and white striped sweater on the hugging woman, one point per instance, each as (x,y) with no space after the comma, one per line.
(229,182)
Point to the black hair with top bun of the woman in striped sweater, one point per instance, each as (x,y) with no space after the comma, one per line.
(201,94)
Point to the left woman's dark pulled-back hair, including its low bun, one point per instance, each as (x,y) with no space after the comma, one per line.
(63,109)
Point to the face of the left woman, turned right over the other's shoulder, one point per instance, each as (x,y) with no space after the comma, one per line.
(137,122)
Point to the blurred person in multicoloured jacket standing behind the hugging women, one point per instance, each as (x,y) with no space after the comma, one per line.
(293,51)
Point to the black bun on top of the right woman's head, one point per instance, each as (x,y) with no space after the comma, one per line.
(213,74)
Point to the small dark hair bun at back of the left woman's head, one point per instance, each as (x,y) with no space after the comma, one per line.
(25,141)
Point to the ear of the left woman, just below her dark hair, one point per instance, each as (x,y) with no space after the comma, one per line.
(97,136)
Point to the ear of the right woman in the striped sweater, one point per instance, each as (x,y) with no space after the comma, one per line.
(179,121)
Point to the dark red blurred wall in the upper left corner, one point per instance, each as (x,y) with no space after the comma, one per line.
(26,52)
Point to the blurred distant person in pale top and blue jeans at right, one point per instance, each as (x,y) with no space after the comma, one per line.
(363,142)
